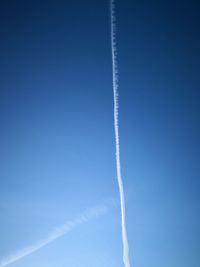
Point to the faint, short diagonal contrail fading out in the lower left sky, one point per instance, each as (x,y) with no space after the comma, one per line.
(84,217)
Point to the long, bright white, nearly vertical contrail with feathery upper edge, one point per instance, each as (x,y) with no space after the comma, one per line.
(116,127)
